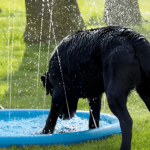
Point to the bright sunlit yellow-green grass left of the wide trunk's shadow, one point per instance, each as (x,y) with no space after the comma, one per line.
(12,46)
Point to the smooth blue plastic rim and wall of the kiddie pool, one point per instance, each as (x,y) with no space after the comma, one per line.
(57,139)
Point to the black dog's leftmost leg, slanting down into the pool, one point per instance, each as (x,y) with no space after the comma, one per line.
(57,105)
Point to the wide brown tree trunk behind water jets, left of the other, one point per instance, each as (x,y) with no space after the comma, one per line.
(51,20)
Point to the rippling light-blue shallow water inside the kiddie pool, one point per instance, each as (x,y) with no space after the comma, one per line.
(18,126)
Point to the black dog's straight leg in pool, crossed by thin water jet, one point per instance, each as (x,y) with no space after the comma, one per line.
(95,106)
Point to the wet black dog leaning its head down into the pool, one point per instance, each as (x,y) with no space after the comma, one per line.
(87,63)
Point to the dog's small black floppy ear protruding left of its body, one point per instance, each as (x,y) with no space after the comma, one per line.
(46,83)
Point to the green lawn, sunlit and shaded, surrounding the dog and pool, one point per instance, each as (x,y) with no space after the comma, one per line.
(20,85)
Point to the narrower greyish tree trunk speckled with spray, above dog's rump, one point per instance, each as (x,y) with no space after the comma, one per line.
(122,12)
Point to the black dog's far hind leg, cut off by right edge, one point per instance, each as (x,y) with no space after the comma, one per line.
(143,90)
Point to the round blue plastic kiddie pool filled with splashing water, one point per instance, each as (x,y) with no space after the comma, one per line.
(18,127)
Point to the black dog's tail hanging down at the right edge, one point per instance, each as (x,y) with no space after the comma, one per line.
(142,52)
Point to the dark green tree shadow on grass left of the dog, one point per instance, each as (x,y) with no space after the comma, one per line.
(26,89)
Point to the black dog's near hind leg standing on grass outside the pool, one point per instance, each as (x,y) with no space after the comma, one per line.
(117,99)
